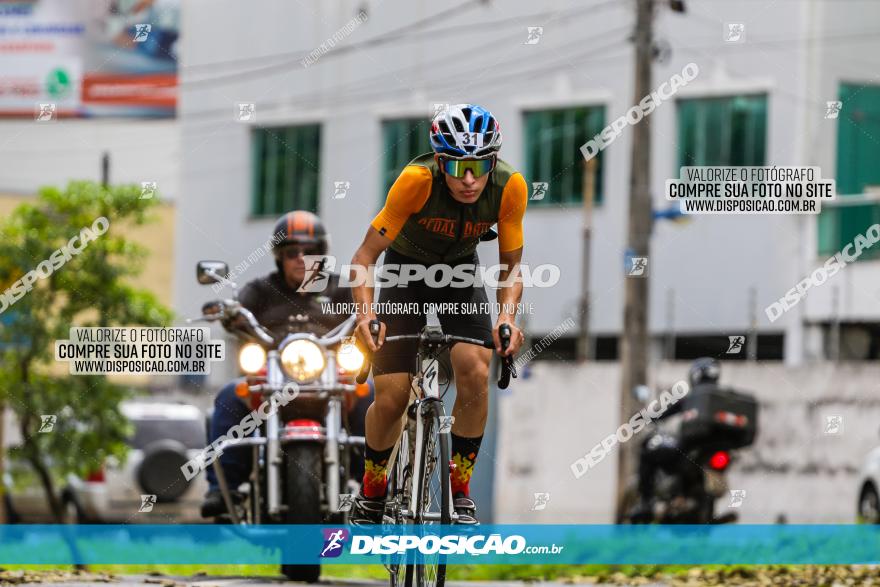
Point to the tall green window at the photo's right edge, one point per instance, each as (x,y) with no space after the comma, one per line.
(858,151)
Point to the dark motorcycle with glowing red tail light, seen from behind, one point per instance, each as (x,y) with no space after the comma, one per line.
(688,454)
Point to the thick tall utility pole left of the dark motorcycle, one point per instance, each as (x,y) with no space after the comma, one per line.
(634,339)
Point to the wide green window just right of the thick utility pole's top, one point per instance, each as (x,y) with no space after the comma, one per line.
(722,131)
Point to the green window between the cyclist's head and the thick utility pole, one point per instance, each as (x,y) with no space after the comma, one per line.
(553,139)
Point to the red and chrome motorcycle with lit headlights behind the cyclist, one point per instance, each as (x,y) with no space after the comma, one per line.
(303,449)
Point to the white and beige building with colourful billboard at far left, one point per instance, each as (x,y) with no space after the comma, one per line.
(81,100)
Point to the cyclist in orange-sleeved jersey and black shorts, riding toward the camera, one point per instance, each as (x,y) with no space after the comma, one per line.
(441,206)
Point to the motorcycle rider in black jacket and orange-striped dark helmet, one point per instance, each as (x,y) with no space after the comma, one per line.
(274,300)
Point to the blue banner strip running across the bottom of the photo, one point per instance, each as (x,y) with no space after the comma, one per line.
(488,544)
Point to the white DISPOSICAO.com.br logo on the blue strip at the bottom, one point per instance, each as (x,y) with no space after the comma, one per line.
(431,544)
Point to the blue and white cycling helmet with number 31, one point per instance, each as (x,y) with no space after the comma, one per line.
(465,131)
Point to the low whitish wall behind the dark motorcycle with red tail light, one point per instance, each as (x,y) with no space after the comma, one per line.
(557,415)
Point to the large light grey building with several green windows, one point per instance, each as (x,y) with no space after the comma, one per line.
(342,115)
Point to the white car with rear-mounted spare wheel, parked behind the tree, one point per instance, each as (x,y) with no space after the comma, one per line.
(148,488)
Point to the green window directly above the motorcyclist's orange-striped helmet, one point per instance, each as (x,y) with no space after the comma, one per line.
(286,169)
